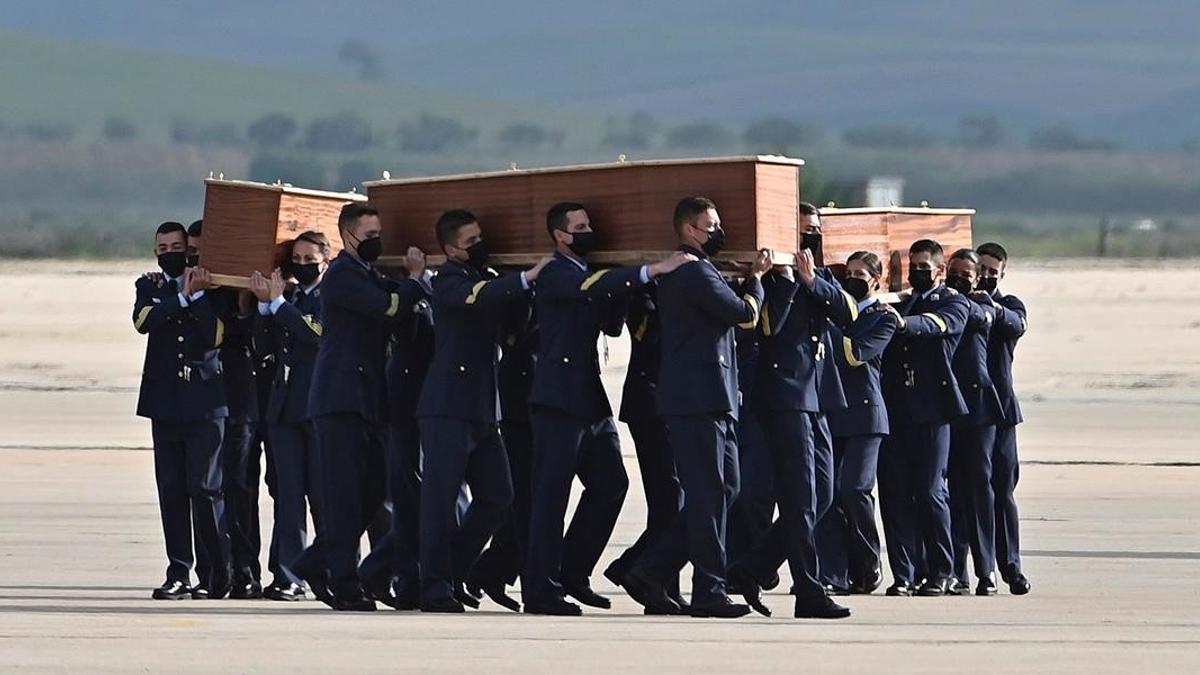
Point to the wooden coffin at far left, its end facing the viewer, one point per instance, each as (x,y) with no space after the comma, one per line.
(248,226)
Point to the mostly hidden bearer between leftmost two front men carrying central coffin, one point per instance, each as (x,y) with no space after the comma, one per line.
(391,572)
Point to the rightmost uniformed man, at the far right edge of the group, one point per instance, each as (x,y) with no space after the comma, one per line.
(1009,327)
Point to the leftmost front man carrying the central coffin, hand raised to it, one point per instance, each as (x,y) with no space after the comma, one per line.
(349,404)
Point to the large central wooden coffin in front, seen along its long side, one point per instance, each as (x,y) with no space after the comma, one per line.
(631,206)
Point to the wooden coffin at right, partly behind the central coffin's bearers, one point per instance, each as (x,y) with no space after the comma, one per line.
(890,232)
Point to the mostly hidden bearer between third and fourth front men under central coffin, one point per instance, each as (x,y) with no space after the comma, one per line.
(640,413)
